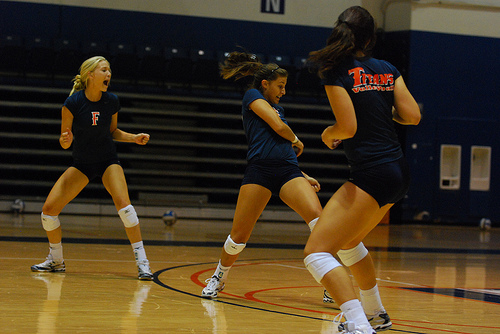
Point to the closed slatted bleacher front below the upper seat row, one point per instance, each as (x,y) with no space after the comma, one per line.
(197,145)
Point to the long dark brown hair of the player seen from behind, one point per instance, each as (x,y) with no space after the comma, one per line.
(354,31)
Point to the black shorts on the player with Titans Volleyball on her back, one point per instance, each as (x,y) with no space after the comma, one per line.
(387,183)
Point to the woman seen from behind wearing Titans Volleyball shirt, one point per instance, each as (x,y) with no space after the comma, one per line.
(366,96)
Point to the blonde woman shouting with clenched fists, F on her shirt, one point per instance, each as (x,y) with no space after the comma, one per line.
(89,122)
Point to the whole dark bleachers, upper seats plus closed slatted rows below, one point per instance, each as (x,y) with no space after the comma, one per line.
(197,145)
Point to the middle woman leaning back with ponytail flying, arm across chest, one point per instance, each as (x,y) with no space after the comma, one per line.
(272,162)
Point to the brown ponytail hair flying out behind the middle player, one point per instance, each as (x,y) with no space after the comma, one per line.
(238,65)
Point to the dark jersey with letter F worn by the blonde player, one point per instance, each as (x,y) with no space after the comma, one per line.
(92,139)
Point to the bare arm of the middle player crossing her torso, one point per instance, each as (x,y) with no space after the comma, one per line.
(264,110)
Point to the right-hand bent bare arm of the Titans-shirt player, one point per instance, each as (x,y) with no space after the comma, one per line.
(406,108)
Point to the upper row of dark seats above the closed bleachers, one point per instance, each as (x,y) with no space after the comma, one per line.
(154,65)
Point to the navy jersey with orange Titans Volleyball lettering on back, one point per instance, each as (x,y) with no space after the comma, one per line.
(370,84)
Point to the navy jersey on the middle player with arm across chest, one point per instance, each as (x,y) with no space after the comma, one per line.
(263,142)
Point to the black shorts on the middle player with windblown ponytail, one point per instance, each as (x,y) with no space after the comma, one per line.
(271,174)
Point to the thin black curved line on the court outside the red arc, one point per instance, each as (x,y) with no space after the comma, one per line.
(159,282)
